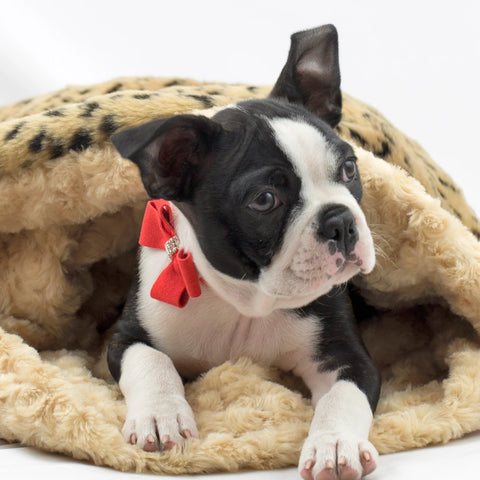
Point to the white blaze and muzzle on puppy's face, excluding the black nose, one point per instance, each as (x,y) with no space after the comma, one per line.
(305,266)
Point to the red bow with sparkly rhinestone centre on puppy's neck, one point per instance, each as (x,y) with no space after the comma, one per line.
(179,281)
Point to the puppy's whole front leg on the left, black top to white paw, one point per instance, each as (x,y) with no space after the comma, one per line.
(158,416)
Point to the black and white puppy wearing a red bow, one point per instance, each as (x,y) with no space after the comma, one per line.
(260,223)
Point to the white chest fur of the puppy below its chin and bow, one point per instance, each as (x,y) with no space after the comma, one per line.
(209,331)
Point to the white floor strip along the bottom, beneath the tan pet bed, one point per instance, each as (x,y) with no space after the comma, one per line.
(455,460)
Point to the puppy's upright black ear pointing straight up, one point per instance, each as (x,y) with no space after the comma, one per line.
(311,75)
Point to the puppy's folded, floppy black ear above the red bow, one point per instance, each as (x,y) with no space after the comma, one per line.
(168,152)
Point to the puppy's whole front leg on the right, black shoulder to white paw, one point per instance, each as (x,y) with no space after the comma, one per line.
(345,386)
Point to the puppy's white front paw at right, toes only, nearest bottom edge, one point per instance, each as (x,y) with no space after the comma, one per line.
(335,457)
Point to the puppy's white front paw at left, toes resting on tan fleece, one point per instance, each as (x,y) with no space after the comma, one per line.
(160,426)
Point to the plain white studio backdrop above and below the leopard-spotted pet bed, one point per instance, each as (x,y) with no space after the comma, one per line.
(417,62)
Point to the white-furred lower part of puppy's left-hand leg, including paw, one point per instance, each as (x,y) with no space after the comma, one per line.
(158,416)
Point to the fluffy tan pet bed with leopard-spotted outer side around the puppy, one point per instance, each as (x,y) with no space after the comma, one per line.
(70,210)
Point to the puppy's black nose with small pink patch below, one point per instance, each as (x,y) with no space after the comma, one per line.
(336,222)
